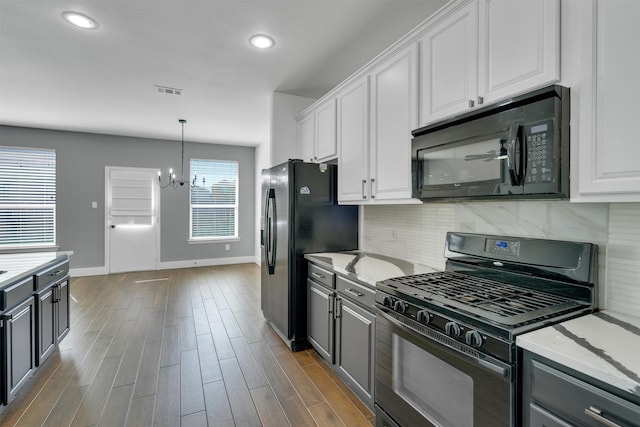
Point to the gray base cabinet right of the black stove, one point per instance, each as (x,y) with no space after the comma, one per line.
(554,395)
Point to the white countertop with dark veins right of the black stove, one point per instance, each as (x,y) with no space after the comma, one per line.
(603,345)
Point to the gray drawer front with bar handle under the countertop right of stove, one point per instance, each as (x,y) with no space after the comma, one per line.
(576,401)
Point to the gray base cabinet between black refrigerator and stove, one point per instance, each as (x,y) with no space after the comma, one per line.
(341,327)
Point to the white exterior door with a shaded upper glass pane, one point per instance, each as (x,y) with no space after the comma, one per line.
(132,213)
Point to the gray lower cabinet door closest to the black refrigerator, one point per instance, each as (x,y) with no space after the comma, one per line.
(320,304)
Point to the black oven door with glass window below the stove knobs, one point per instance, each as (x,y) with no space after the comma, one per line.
(420,381)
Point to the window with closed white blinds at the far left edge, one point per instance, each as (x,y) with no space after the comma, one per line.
(27,197)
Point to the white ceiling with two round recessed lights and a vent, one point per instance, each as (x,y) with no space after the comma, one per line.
(56,76)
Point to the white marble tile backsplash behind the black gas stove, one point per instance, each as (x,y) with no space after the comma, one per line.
(417,232)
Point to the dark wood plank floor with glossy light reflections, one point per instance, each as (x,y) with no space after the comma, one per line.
(179,347)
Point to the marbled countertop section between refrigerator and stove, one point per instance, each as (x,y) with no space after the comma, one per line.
(367,267)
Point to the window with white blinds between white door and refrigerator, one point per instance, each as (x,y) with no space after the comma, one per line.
(214,200)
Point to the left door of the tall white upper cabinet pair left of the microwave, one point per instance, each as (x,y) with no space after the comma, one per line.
(353,142)
